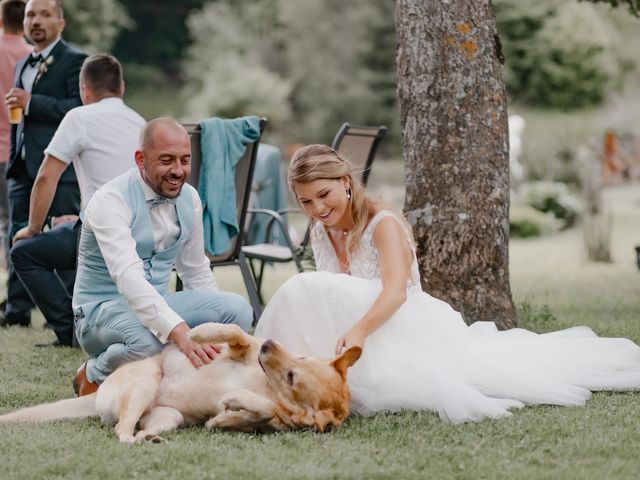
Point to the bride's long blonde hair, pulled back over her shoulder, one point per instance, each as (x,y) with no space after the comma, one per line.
(316,162)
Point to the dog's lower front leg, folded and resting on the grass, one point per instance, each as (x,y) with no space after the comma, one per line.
(244,410)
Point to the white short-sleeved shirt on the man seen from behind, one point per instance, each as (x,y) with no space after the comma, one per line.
(100,139)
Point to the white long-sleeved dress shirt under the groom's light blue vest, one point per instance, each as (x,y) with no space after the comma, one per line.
(108,216)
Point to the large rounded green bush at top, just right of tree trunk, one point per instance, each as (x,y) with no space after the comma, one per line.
(557,55)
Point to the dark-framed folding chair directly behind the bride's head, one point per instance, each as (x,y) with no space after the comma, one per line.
(357,143)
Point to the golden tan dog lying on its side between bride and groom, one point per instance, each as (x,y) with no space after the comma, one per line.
(250,386)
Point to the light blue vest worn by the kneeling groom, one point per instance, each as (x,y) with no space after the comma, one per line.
(93,281)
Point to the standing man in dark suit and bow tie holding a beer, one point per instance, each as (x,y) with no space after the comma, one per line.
(46,88)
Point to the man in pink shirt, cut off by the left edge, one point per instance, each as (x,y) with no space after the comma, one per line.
(13,47)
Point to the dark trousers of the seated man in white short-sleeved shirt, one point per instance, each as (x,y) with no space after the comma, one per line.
(46,265)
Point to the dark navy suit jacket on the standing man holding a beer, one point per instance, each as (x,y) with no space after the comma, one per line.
(55,92)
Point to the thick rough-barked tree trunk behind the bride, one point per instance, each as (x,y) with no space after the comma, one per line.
(454,123)
